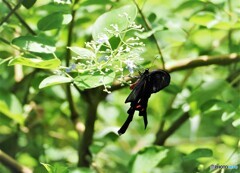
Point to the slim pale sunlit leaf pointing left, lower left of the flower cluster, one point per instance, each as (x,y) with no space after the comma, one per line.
(54,80)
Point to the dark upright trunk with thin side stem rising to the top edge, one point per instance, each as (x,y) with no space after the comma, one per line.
(92,98)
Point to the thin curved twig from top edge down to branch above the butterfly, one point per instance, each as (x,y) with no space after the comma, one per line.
(149,27)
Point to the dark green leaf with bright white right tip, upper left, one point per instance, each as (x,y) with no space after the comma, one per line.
(54,21)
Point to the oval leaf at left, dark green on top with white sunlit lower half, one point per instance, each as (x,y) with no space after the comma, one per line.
(35,44)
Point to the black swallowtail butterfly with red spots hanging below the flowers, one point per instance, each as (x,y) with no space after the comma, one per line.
(149,83)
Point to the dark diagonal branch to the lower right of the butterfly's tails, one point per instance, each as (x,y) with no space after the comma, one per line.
(161,137)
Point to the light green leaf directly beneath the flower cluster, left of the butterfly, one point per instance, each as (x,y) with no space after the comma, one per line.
(86,80)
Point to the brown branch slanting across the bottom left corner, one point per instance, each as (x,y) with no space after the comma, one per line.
(13,164)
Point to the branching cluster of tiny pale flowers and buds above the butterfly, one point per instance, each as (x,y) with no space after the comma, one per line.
(102,54)
